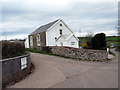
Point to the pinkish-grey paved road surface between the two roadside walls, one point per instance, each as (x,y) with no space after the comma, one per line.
(57,72)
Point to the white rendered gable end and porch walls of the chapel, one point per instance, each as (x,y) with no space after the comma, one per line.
(54,32)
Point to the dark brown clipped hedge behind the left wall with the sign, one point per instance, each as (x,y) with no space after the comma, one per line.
(12,49)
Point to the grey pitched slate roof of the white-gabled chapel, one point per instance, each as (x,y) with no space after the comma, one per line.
(44,27)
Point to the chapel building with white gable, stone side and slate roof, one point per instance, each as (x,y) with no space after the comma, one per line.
(56,33)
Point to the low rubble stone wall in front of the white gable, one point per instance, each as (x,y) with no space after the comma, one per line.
(81,54)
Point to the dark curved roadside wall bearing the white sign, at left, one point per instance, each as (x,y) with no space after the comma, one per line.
(11,69)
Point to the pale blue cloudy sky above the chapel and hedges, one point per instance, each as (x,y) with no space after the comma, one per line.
(19,18)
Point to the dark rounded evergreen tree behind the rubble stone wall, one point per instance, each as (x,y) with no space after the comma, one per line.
(99,41)
